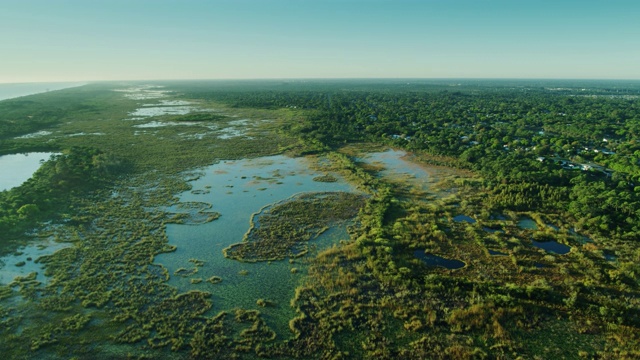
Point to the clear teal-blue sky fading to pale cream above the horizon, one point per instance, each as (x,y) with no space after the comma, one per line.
(83,40)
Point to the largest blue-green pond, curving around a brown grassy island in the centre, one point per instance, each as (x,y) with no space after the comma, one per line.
(237,190)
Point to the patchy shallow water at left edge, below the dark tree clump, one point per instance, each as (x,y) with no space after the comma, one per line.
(9,270)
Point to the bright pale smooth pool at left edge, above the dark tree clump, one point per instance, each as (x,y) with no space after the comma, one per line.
(18,168)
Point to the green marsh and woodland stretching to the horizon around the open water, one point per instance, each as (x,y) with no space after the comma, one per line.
(546,227)
